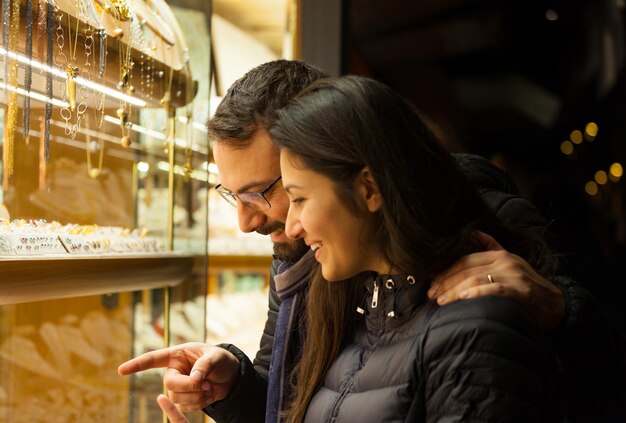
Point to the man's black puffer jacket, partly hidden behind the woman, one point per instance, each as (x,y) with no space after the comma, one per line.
(591,350)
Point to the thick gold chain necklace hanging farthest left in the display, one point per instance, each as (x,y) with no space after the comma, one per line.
(11,120)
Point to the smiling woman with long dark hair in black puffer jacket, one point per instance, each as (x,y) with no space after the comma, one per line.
(384,209)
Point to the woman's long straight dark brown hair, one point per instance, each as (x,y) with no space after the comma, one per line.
(430,212)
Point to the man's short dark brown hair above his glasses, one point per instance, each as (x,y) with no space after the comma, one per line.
(252,101)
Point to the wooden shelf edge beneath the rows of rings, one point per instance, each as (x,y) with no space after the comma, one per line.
(27,279)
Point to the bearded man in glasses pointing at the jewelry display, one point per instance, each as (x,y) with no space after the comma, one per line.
(229,387)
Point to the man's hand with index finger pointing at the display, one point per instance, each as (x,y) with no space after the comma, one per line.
(196,374)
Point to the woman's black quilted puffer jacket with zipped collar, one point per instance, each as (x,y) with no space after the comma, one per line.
(477,360)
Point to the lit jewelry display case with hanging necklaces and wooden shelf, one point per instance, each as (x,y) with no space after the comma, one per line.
(103,214)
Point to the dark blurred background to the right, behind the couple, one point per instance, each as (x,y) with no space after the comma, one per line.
(511,80)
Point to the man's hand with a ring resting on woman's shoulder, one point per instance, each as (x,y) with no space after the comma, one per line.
(511,276)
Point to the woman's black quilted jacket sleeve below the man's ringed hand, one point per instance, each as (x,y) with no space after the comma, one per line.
(485,360)
